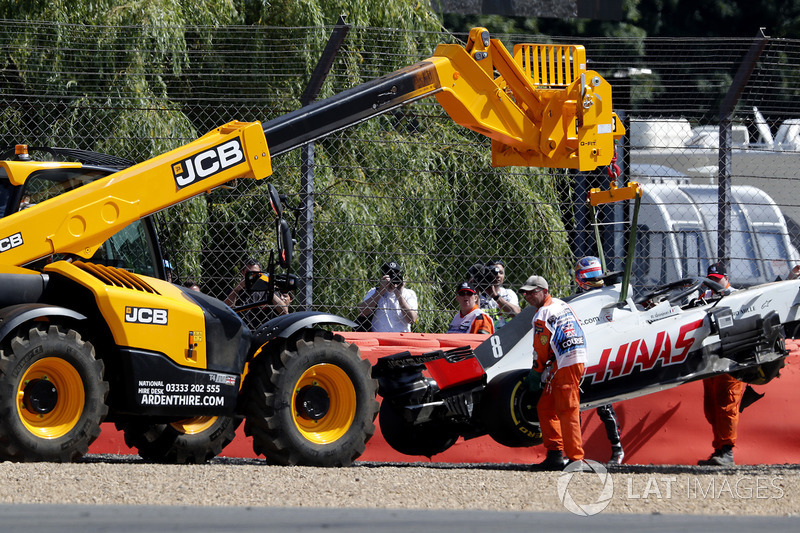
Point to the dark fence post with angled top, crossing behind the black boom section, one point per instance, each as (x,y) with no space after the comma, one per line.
(306,230)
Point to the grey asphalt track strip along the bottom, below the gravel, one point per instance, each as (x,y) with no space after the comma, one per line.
(138,519)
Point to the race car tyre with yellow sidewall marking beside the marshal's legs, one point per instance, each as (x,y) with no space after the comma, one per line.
(508,410)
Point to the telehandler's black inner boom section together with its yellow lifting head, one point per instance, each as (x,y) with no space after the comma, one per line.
(543,110)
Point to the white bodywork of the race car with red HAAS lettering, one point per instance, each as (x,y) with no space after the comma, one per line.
(625,338)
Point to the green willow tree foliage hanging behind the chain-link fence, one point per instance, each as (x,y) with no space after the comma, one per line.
(136,78)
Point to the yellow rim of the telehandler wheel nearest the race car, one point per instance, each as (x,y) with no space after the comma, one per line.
(317,422)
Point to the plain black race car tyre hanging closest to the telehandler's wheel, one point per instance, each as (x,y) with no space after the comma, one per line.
(425,439)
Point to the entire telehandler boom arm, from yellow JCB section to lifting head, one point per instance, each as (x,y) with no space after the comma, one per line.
(544,109)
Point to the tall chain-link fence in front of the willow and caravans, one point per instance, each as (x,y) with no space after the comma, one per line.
(412,186)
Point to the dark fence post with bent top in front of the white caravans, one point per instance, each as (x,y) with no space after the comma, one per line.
(725,148)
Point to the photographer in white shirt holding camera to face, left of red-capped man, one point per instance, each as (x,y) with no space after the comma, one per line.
(389,306)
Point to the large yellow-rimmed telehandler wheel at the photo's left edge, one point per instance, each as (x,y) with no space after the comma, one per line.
(62,391)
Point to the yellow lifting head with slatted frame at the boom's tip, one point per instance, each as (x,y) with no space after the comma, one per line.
(543,110)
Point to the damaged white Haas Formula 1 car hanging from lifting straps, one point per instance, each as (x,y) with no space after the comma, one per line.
(636,346)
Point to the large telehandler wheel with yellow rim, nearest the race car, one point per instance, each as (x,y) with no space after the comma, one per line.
(313,403)
